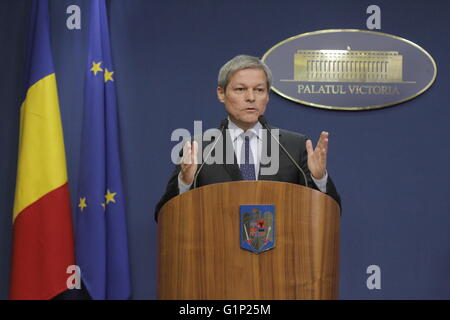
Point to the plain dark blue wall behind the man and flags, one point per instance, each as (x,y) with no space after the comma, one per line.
(391,165)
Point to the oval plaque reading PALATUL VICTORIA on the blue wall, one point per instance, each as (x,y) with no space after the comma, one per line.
(349,69)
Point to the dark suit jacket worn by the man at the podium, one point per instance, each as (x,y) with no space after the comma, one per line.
(295,143)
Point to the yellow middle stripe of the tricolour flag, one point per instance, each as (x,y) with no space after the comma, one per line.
(42,162)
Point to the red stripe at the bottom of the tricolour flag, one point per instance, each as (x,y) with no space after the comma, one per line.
(43,247)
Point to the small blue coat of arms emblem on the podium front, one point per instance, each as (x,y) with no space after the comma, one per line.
(257,227)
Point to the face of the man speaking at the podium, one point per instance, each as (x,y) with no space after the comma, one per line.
(245,97)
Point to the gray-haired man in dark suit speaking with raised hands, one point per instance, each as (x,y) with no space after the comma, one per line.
(243,87)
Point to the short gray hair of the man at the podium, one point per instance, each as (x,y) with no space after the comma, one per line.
(242,62)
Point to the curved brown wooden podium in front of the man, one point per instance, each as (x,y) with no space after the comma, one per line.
(199,246)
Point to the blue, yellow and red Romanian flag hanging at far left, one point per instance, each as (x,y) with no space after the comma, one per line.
(43,243)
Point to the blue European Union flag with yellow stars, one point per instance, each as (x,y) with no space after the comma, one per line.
(101,232)
